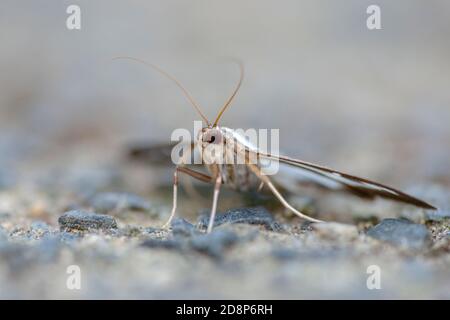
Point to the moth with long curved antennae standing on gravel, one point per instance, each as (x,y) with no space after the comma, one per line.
(250,174)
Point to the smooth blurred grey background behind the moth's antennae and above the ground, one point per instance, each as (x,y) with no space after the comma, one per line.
(373,102)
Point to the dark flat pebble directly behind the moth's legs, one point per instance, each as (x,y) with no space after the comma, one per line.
(257,216)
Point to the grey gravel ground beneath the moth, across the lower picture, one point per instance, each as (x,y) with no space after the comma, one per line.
(252,252)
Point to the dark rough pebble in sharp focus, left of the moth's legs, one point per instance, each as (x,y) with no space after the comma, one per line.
(84,221)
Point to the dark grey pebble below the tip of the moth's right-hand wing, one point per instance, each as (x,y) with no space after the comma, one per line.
(401,232)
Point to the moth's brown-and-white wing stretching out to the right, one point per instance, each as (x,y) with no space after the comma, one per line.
(358,186)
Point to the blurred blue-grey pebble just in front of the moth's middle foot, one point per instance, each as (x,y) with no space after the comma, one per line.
(215,243)
